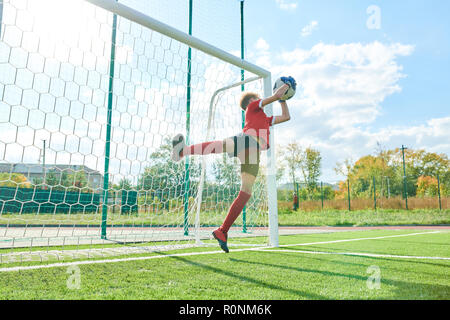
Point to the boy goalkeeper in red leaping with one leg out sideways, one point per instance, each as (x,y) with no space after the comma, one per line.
(246,146)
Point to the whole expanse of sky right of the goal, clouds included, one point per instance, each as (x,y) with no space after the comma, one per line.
(409,103)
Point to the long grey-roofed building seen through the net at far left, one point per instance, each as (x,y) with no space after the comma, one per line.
(35,172)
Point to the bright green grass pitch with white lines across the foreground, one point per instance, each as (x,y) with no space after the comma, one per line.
(308,266)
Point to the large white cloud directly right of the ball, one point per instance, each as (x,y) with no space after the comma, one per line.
(349,80)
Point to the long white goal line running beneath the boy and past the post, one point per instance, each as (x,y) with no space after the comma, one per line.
(78,263)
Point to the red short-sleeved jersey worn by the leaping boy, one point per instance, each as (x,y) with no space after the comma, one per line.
(257,123)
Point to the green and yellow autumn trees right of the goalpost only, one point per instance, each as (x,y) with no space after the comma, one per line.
(381,173)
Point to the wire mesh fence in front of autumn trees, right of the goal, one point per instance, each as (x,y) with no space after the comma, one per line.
(376,192)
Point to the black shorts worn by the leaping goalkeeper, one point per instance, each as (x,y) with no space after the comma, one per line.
(250,159)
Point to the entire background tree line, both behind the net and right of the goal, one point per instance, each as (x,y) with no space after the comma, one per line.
(381,172)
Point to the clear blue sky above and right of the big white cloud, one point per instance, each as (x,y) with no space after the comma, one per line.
(424,24)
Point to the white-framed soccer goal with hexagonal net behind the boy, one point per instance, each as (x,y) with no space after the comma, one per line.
(91,94)
